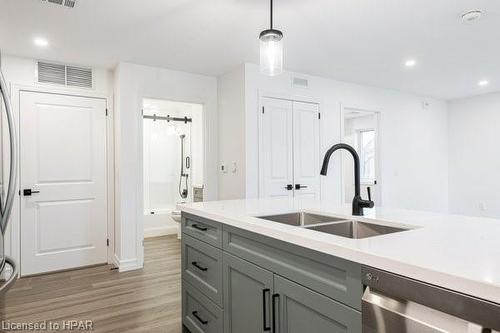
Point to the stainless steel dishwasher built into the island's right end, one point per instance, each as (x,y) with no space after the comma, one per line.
(396,304)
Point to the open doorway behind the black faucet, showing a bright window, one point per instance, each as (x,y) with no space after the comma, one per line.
(361,131)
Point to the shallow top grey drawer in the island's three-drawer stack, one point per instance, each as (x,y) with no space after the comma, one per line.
(203,229)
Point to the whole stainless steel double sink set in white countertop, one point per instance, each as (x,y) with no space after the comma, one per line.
(334,225)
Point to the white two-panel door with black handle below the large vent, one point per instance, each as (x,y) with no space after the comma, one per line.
(63,156)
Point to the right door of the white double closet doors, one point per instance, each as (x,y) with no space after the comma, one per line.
(306,150)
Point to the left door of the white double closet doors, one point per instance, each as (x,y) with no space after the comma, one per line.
(276,148)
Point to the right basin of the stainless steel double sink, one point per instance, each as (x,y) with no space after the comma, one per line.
(356,229)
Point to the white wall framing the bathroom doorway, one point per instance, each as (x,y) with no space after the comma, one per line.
(132,84)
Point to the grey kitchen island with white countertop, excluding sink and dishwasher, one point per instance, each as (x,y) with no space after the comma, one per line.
(313,270)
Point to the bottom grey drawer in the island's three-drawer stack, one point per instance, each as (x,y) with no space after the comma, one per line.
(199,314)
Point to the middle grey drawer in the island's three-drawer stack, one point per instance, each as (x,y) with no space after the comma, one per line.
(202,267)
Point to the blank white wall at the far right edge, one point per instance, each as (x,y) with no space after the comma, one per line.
(474,162)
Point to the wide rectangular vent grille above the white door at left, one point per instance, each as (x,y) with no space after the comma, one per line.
(71,76)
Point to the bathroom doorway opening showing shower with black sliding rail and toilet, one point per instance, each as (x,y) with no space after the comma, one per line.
(173,162)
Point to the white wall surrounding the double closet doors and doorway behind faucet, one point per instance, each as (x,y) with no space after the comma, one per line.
(413,139)
